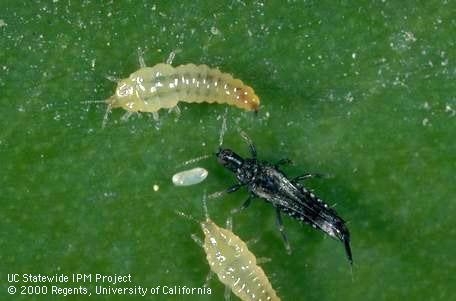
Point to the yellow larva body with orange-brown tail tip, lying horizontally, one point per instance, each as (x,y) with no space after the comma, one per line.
(162,86)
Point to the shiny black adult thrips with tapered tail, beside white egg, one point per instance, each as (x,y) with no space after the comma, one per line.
(266,181)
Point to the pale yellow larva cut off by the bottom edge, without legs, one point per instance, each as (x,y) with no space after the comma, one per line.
(235,266)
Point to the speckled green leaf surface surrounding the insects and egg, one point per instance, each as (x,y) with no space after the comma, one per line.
(363,91)
